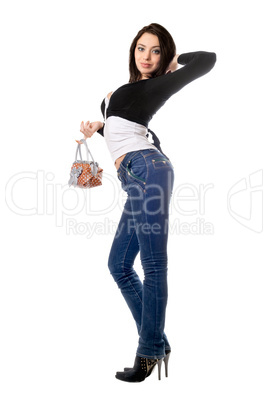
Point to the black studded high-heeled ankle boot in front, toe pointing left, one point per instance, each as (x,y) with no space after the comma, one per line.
(143,367)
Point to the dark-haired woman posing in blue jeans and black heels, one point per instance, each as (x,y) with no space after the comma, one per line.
(147,176)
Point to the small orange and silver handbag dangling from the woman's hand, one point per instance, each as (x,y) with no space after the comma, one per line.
(85,173)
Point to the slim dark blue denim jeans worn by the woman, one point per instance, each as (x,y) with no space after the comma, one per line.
(147,176)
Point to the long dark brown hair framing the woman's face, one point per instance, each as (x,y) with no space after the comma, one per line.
(167,51)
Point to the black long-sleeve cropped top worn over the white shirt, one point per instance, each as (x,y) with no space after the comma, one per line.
(139,101)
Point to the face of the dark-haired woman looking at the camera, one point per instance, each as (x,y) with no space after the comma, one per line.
(147,54)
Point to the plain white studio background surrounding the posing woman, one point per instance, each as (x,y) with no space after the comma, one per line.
(65,328)
